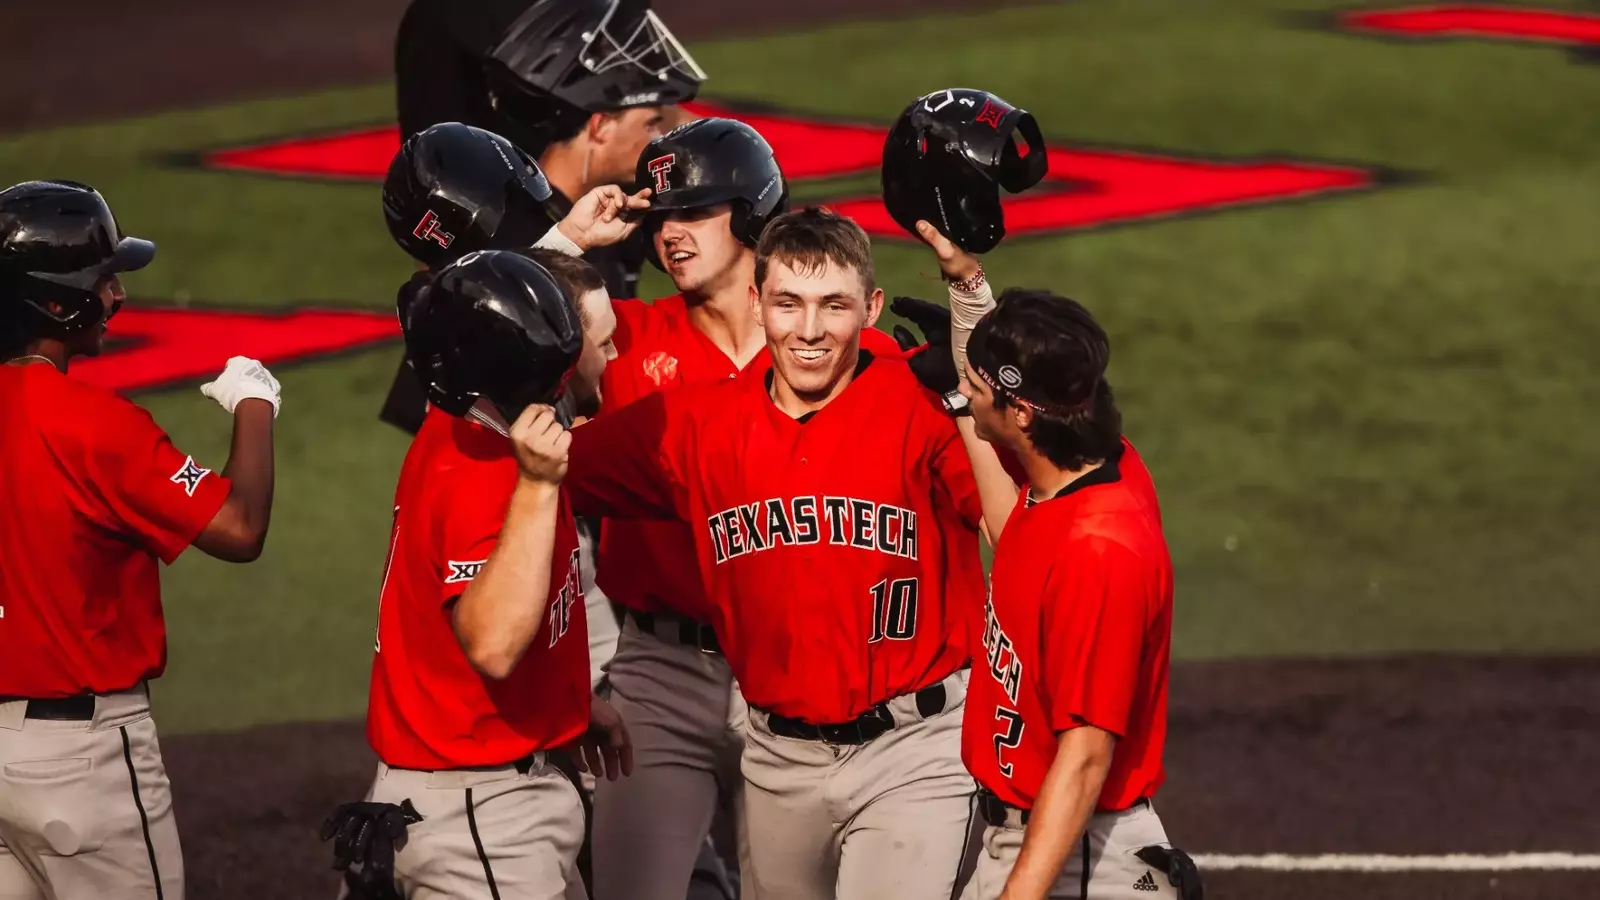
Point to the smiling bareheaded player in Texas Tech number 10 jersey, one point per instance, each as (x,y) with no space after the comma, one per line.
(834,521)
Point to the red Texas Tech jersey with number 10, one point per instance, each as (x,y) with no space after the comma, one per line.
(841,548)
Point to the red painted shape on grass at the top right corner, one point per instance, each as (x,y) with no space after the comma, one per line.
(1481,22)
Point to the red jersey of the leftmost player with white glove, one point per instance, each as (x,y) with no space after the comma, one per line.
(94,496)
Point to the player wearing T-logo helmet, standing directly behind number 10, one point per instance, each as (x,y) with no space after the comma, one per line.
(716,185)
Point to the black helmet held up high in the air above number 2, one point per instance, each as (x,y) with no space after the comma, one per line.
(950,155)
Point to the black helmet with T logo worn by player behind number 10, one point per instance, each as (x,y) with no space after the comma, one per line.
(708,163)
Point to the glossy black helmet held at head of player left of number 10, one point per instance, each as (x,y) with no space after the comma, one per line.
(494,326)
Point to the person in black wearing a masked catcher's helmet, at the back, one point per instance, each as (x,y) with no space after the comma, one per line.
(582,86)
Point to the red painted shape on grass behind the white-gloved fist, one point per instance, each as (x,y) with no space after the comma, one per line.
(150,348)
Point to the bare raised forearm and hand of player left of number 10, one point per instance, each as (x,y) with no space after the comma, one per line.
(503,608)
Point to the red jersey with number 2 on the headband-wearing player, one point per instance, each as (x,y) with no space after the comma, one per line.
(1078,632)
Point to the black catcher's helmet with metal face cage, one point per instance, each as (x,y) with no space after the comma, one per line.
(564,60)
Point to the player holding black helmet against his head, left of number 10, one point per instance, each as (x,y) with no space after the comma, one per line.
(481,670)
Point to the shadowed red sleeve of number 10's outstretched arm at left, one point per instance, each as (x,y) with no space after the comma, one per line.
(628,464)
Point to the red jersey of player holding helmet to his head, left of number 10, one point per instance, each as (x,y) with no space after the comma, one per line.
(428,707)
